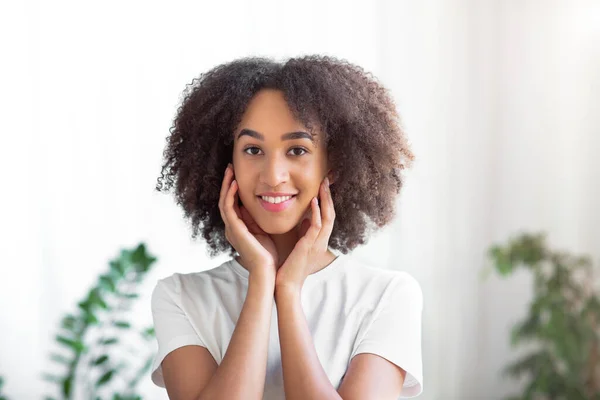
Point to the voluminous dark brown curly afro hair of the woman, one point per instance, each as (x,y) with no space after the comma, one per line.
(366,146)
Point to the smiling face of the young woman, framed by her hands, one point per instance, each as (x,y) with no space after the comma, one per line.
(274,158)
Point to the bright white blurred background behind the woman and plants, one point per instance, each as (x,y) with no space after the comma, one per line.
(500,99)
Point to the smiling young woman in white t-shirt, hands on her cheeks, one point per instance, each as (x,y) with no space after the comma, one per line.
(278,164)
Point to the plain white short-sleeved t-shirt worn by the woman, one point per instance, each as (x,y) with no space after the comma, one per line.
(350,307)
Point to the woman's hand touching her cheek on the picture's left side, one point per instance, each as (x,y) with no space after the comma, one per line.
(256,248)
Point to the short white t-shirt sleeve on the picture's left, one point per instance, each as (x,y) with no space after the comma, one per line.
(171,326)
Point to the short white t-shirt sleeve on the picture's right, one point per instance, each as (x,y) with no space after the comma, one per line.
(395,331)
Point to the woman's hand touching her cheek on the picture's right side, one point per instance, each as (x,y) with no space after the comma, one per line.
(312,246)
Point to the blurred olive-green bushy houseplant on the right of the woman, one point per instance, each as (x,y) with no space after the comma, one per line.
(562,323)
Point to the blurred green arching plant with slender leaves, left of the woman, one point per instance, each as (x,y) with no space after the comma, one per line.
(94,336)
